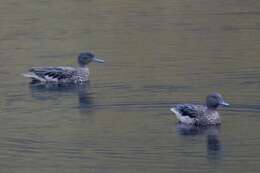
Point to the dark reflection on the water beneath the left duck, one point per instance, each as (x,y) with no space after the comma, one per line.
(54,91)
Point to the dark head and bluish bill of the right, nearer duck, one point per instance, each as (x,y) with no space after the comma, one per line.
(214,100)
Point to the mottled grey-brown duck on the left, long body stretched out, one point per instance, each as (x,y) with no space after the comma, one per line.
(64,74)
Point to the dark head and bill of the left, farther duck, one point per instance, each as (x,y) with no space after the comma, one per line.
(85,58)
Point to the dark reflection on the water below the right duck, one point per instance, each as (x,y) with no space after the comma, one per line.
(211,132)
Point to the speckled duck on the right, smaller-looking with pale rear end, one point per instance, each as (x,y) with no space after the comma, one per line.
(200,115)
